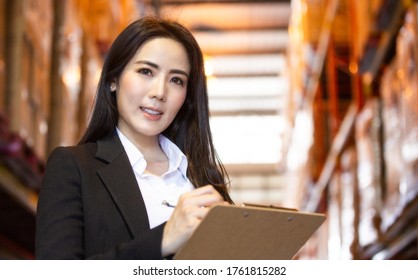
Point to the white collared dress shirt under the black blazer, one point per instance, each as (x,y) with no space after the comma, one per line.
(156,189)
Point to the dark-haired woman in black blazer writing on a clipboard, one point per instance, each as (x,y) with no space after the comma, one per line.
(148,143)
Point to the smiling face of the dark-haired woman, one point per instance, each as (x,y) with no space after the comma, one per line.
(152,88)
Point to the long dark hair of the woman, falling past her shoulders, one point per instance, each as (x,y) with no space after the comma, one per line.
(190,129)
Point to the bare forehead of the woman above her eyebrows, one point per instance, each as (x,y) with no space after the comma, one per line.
(164,52)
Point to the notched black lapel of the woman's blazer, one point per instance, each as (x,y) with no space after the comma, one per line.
(119,179)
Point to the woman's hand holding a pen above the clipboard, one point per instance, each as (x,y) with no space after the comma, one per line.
(191,208)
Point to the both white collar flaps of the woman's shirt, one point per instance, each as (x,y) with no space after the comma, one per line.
(177,160)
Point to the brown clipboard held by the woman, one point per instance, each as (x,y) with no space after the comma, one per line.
(250,233)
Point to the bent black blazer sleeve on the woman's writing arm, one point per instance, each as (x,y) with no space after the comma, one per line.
(60,221)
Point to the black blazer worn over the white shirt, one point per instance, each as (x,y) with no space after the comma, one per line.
(90,206)
